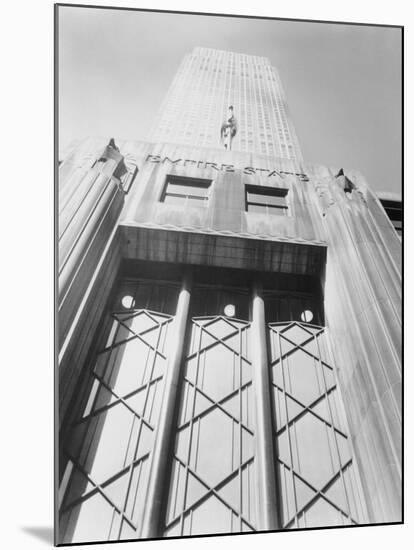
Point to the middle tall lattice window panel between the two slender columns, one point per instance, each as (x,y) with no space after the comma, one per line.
(212,487)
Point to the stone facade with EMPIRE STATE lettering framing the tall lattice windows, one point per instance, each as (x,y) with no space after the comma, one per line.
(335,234)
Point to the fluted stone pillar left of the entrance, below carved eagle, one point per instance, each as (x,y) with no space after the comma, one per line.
(87,220)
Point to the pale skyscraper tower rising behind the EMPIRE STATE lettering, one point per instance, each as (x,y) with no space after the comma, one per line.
(207,82)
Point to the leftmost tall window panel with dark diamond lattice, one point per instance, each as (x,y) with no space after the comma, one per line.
(109,445)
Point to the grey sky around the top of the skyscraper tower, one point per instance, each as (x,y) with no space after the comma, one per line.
(342,82)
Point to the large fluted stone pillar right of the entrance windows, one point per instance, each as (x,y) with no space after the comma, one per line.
(363,312)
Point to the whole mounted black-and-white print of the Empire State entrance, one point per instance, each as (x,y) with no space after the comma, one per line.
(229,228)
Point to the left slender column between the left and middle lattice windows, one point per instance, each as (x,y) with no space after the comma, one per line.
(165,432)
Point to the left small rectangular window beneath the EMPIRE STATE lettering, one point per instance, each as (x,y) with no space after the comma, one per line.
(186,191)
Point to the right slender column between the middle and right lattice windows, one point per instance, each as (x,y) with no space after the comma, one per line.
(268,518)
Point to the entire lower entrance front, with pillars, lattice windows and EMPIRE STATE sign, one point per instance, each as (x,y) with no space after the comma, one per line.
(245,303)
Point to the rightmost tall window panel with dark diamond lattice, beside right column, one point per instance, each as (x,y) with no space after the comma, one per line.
(317,478)
